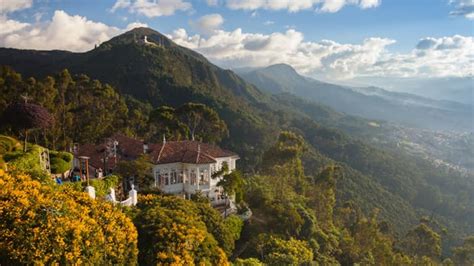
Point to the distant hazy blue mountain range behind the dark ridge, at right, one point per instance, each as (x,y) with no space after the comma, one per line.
(371,102)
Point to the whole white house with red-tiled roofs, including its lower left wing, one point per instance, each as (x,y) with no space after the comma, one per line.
(179,167)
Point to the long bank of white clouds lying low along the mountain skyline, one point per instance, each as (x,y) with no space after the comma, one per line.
(432,57)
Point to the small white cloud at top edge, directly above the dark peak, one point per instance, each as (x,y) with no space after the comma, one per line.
(152,8)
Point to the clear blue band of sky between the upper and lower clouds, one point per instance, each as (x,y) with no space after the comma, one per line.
(406,21)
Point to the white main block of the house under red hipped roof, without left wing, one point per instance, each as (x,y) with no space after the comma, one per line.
(185,167)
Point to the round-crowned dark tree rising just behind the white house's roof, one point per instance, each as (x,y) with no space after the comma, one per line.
(202,122)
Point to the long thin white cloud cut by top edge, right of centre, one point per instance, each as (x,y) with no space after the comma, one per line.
(298,5)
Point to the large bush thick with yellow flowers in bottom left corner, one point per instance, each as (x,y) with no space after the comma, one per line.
(42,224)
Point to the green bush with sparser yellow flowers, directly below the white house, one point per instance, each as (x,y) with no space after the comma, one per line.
(171,232)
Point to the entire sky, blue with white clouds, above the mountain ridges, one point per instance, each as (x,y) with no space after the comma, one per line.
(332,40)
